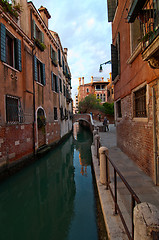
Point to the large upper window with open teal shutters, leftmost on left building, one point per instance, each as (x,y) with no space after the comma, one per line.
(10,49)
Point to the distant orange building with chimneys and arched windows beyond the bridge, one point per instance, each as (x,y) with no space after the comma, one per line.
(97,86)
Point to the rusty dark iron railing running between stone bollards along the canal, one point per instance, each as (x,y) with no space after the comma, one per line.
(114,192)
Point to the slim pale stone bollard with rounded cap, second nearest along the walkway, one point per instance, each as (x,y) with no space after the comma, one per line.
(102,153)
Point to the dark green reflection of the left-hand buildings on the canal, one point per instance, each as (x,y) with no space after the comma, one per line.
(38,203)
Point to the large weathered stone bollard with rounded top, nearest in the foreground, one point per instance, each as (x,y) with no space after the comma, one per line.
(146,222)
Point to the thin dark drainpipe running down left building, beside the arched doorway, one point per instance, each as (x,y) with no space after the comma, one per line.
(34,117)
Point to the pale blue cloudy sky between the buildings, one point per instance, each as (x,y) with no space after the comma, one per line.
(83,28)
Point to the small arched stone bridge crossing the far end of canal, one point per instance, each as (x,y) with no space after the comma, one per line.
(85,119)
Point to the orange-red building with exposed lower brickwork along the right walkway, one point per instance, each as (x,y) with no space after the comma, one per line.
(135,74)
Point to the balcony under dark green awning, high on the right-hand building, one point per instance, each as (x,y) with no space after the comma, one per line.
(148,14)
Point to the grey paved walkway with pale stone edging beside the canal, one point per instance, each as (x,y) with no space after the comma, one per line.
(137,179)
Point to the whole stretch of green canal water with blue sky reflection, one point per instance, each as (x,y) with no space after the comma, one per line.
(52,199)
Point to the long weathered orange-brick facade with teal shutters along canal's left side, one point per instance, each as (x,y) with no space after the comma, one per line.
(35,86)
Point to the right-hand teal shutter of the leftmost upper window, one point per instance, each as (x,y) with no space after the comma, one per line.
(18,59)
